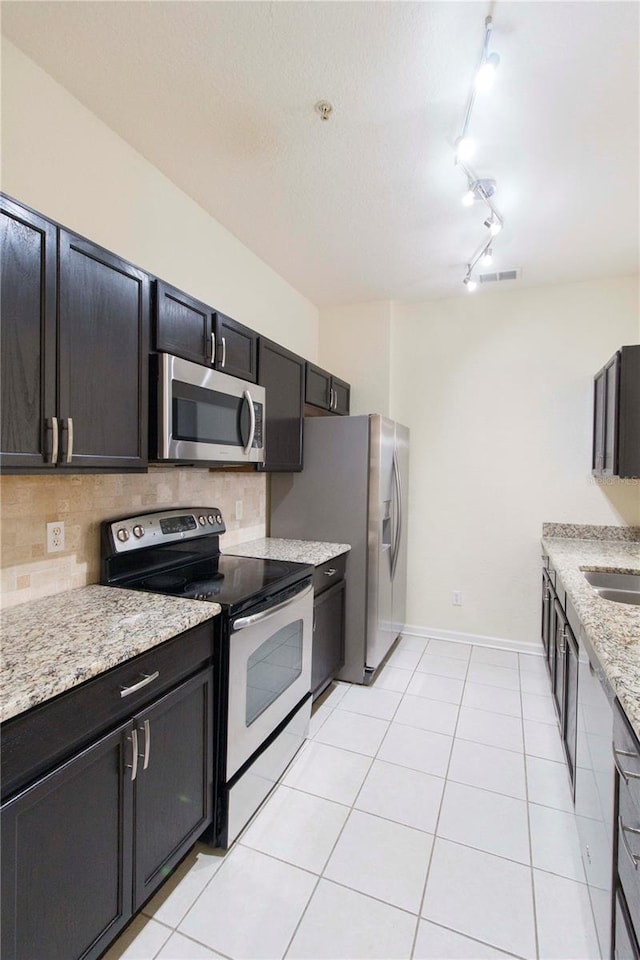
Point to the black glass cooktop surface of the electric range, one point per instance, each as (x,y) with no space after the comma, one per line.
(233,582)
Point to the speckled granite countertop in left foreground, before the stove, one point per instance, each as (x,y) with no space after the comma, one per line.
(55,643)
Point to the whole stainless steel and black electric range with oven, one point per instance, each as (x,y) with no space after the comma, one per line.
(263,649)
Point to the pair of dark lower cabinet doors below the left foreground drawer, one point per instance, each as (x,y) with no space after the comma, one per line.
(87,844)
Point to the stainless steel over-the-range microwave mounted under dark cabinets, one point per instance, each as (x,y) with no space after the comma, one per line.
(207,416)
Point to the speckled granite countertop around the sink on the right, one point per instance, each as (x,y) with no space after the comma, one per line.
(612,628)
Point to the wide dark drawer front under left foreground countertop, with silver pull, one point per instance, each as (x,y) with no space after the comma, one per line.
(36,740)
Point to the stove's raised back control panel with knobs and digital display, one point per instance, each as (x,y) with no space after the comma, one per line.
(164,526)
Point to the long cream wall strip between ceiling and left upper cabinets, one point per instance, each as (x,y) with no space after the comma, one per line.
(58,158)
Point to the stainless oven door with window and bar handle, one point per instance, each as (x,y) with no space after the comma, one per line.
(269,671)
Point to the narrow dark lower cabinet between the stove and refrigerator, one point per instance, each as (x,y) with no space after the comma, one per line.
(328,624)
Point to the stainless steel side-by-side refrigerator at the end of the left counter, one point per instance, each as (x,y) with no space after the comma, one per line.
(354,489)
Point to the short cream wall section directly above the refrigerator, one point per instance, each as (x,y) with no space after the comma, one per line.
(355,344)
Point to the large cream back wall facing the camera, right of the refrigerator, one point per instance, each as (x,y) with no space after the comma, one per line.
(496,390)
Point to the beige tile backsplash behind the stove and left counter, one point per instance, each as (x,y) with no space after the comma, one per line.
(82,501)
